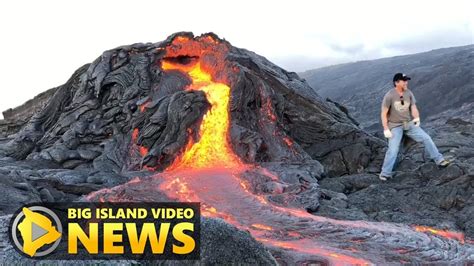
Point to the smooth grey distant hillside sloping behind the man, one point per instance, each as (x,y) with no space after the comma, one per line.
(441,79)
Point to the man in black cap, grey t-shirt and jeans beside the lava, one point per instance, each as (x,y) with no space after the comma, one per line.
(400,117)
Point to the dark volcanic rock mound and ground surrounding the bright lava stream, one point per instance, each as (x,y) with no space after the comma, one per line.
(123,117)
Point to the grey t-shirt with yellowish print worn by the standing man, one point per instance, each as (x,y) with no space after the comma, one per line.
(398,113)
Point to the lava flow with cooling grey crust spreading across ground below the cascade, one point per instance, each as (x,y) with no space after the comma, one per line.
(307,237)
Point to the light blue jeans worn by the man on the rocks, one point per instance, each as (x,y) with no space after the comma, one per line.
(418,135)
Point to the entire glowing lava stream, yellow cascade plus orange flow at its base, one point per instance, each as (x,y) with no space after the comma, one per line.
(208,171)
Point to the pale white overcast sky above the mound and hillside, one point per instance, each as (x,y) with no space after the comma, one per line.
(43,42)
